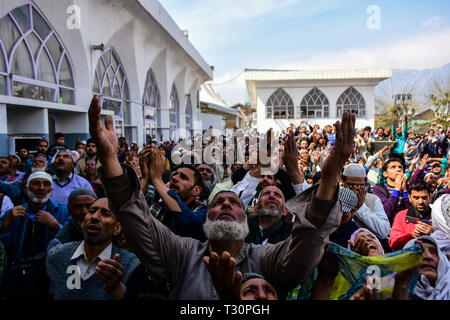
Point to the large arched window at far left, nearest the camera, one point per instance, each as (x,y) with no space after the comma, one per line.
(33,61)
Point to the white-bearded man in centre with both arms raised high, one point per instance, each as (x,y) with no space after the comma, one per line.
(185,262)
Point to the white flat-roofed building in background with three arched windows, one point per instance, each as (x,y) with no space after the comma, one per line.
(282,97)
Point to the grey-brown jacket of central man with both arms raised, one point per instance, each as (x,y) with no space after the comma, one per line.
(179,261)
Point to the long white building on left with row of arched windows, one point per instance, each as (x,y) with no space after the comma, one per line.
(55,55)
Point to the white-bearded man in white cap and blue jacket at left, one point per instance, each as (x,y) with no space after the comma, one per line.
(28,229)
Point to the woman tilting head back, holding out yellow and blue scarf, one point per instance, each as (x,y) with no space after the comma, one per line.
(333,282)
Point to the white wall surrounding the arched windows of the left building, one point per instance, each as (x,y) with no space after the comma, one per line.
(140,42)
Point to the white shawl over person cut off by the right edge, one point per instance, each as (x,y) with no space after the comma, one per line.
(440,215)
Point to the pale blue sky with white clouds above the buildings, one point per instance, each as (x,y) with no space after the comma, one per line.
(233,35)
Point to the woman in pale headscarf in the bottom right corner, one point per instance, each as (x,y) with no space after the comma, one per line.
(434,271)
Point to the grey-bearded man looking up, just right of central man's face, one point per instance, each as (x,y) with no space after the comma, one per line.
(271,224)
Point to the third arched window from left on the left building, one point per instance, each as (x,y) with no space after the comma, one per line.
(152,108)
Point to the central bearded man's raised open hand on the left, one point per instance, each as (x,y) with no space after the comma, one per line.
(105,138)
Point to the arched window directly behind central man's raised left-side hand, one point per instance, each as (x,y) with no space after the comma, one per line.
(111,84)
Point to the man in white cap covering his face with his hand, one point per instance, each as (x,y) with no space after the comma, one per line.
(369,210)
